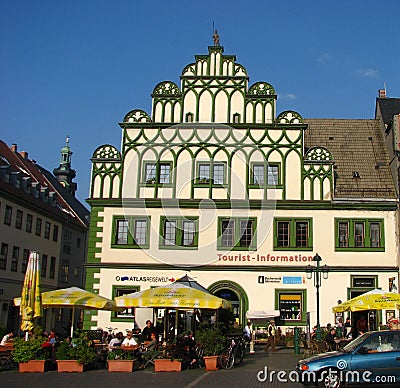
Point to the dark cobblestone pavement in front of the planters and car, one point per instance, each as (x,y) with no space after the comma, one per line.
(244,375)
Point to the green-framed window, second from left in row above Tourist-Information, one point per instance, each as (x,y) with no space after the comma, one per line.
(179,232)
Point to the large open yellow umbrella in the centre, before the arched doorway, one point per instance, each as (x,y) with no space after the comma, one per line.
(174,295)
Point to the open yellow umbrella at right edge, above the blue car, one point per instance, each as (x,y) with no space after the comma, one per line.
(371,300)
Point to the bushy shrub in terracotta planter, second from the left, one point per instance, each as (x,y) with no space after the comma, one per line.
(71,357)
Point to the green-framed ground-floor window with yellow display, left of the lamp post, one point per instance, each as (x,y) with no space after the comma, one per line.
(292,303)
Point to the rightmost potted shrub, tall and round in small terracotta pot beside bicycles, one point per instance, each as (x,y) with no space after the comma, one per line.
(213,343)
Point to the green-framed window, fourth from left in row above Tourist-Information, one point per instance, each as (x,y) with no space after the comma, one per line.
(292,233)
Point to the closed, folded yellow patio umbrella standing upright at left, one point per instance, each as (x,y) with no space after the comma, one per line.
(30,306)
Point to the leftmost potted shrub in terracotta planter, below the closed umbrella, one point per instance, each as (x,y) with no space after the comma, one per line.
(30,355)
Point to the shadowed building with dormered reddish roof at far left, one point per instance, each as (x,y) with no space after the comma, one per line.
(38,213)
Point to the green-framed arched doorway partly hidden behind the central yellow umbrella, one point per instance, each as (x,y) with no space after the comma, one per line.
(235,294)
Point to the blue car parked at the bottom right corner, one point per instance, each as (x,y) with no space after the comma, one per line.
(372,358)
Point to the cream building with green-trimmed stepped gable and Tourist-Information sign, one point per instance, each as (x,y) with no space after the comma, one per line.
(215,182)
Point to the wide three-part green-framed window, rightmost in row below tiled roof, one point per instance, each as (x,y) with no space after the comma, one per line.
(359,234)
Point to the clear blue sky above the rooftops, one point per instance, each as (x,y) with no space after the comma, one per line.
(77,67)
